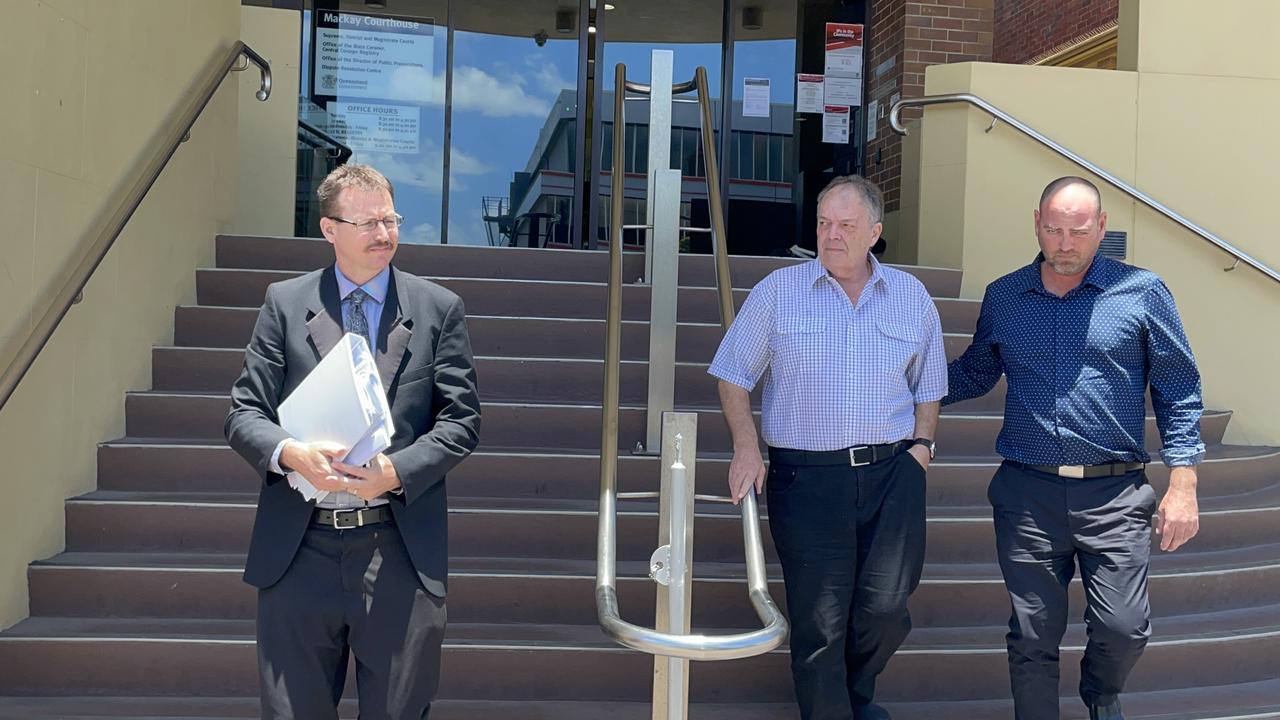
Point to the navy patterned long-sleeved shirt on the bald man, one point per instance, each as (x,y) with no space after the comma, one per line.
(1080,366)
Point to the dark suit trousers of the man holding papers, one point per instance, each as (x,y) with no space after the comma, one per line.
(349,594)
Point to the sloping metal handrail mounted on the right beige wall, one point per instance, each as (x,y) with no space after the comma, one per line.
(998,115)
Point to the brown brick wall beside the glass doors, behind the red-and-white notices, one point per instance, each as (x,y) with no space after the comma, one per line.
(916,35)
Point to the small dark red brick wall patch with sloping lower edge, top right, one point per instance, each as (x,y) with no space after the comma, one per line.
(1028,29)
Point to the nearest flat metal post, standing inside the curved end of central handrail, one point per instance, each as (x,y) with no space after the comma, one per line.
(676,531)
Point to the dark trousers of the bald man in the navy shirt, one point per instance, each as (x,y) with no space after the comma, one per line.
(1044,526)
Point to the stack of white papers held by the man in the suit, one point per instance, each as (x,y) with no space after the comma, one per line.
(342,402)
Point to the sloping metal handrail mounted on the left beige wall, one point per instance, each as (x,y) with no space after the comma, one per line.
(109,230)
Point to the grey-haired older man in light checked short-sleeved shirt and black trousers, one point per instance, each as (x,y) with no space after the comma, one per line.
(854,368)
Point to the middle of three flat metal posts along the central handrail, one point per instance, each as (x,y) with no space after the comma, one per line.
(664,293)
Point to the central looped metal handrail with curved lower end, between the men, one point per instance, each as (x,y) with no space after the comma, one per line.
(692,646)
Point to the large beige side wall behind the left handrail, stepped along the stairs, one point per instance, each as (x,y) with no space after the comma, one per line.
(86,88)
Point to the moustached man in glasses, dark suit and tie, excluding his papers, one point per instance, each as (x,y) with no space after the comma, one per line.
(364,569)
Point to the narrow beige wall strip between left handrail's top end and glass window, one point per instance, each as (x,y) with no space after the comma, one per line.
(268,131)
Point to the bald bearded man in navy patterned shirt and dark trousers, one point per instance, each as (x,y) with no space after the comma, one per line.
(1081,338)
